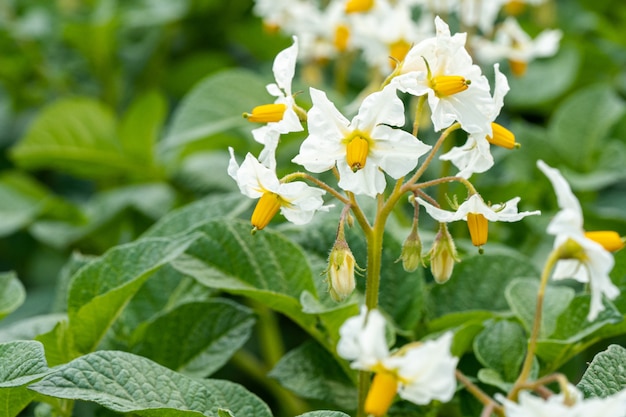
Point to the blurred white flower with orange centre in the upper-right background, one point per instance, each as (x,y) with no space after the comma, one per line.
(512,43)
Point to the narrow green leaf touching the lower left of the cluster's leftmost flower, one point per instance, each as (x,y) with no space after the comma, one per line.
(192,215)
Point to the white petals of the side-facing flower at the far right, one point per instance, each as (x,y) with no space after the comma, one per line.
(596,263)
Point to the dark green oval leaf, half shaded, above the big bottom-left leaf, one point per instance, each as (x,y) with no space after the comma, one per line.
(201,336)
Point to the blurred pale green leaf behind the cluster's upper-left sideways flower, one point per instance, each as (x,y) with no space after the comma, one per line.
(216,105)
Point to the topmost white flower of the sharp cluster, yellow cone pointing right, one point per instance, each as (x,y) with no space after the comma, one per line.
(443,60)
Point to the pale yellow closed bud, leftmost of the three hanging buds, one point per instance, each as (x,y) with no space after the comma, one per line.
(340,271)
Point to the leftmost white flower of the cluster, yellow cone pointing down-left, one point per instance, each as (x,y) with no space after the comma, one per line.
(296,200)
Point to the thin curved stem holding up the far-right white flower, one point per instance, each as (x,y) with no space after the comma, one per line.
(520,383)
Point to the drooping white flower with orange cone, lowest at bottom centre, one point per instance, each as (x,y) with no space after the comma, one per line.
(418,372)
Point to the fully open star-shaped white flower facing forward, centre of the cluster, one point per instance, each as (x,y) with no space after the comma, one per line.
(362,147)
